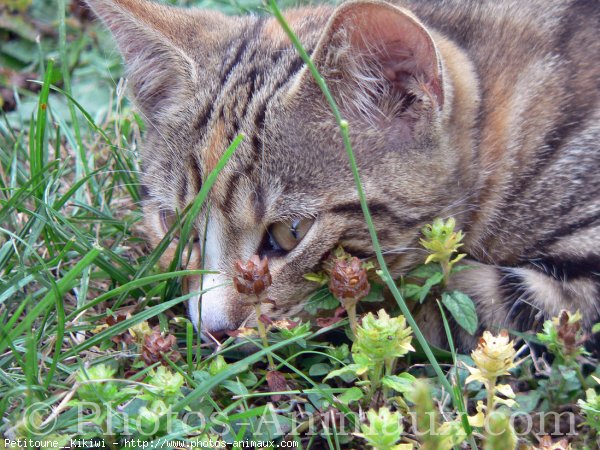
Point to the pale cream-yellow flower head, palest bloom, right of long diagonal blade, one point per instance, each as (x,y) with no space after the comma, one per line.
(494,356)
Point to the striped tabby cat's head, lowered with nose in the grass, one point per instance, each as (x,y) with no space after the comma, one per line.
(201,78)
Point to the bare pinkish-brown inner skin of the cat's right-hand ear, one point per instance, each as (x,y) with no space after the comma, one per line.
(402,46)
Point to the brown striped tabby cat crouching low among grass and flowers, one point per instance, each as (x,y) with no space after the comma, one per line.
(482,110)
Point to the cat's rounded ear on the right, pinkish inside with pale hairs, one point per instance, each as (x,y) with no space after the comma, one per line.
(381,52)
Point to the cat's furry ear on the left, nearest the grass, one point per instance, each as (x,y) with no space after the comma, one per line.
(161,47)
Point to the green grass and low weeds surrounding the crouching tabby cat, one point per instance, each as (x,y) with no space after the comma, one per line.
(79,290)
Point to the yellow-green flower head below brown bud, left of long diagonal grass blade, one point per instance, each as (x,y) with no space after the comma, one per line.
(383,338)
